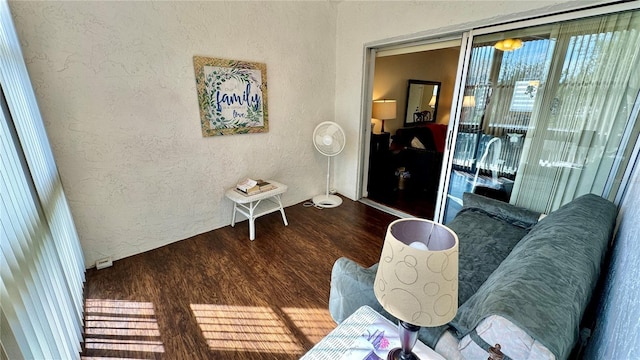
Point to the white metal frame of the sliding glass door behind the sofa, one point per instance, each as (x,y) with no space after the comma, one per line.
(463,68)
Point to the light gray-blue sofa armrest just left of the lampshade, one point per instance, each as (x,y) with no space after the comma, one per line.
(351,288)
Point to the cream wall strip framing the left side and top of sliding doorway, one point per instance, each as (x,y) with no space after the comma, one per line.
(360,23)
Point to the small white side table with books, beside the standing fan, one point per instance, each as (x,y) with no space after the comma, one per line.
(256,205)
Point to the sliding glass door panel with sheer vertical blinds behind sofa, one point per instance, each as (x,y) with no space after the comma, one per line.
(547,113)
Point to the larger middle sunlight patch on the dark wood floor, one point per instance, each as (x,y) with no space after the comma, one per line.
(244,328)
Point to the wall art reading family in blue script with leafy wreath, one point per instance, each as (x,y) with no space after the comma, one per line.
(232,96)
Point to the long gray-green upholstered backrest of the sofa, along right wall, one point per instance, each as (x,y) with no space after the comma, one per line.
(545,283)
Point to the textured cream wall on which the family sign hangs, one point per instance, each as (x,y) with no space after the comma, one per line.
(116,88)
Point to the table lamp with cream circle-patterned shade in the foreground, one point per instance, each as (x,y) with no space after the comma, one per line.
(417,278)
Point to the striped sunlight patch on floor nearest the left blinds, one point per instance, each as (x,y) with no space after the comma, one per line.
(121,325)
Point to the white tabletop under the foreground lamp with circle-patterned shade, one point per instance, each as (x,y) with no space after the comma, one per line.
(364,335)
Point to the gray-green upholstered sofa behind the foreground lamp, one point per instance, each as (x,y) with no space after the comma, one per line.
(523,283)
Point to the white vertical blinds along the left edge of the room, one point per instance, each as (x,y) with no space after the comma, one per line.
(41,265)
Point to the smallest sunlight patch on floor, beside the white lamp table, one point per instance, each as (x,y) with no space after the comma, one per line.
(315,324)
